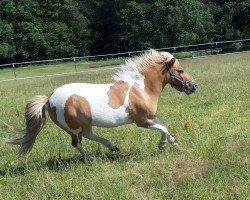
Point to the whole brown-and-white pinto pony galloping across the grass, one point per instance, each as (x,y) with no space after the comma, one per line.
(131,98)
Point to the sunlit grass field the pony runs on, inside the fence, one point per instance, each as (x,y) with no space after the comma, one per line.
(212,126)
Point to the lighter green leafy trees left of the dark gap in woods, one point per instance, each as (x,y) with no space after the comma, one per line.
(35,29)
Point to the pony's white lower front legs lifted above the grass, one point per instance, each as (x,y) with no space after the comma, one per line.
(165,135)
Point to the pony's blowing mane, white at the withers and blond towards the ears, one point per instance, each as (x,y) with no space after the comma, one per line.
(133,66)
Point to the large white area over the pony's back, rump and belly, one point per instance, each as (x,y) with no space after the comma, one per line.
(97,96)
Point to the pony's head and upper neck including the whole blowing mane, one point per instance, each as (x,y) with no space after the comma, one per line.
(156,69)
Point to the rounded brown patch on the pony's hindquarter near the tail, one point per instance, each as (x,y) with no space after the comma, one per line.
(77,112)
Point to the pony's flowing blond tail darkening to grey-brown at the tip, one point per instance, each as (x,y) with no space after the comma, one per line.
(35,119)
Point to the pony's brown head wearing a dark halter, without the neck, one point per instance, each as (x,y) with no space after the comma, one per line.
(177,77)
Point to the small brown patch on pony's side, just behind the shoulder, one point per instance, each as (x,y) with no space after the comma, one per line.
(117,94)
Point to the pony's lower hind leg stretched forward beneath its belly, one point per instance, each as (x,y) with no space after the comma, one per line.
(88,133)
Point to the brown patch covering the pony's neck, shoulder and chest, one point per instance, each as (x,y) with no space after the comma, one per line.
(143,104)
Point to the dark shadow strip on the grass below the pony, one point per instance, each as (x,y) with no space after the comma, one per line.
(60,164)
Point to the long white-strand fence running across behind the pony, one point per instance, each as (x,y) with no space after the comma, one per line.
(80,64)
